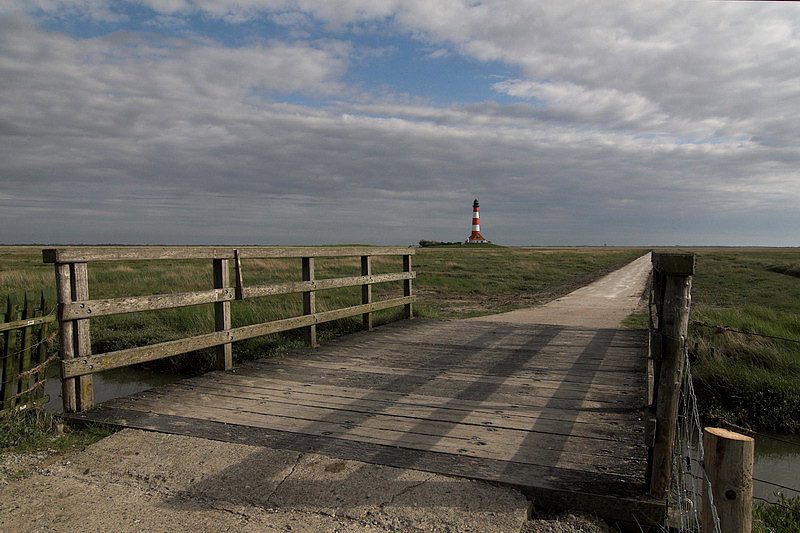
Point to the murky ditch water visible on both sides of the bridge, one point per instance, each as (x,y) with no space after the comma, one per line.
(777,458)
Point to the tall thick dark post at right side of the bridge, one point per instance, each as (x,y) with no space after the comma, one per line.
(673,325)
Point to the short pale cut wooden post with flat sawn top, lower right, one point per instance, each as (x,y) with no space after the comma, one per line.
(728,464)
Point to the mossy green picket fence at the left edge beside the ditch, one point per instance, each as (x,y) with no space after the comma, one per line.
(26,338)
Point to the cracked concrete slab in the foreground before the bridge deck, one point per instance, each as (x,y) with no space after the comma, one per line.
(144,481)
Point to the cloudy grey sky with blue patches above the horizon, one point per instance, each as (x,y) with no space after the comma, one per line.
(638,123)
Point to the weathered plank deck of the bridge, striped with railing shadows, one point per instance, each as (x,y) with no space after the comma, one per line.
(552,410)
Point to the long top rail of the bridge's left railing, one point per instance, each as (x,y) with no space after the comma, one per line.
(83,254)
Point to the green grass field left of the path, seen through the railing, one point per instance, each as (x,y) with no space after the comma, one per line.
(451,282)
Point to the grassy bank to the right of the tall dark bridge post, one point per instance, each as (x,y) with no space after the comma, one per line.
(748,379)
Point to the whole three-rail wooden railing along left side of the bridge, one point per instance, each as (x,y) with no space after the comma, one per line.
(75,308)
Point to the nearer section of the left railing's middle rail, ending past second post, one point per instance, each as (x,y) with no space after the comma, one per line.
(133,304)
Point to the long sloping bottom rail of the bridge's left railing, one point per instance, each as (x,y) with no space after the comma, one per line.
(71,367)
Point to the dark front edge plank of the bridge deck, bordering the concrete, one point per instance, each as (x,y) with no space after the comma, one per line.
(613,497)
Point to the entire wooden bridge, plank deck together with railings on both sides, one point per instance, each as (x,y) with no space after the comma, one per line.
(559,412)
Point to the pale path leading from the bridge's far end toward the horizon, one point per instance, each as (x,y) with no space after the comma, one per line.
(602,304)
